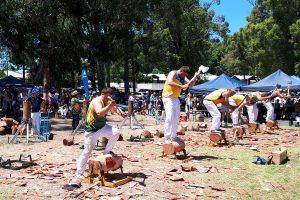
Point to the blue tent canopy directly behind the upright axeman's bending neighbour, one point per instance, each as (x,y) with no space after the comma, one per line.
(223,81)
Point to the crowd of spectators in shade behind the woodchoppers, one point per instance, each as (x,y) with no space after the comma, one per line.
(68,103)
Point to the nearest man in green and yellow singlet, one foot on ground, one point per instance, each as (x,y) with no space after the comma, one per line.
(96,127)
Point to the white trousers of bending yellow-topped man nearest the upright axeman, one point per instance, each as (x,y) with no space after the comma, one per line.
(215,113)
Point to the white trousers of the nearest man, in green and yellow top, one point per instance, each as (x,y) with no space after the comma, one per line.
(90,140)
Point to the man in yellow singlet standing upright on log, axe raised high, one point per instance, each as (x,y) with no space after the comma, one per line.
(175,83)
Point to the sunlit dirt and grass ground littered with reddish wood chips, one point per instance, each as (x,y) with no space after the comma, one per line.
(225,172)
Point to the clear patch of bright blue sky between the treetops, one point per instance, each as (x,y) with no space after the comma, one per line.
(235,12)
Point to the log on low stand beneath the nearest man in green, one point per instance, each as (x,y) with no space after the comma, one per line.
(104,163)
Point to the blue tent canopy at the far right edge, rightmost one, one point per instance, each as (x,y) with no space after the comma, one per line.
(269,82)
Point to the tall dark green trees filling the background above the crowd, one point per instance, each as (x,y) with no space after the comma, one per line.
(123,39)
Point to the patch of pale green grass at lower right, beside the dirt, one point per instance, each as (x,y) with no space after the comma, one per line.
(255,179)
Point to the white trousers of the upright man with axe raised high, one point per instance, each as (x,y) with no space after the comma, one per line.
(172,108)
